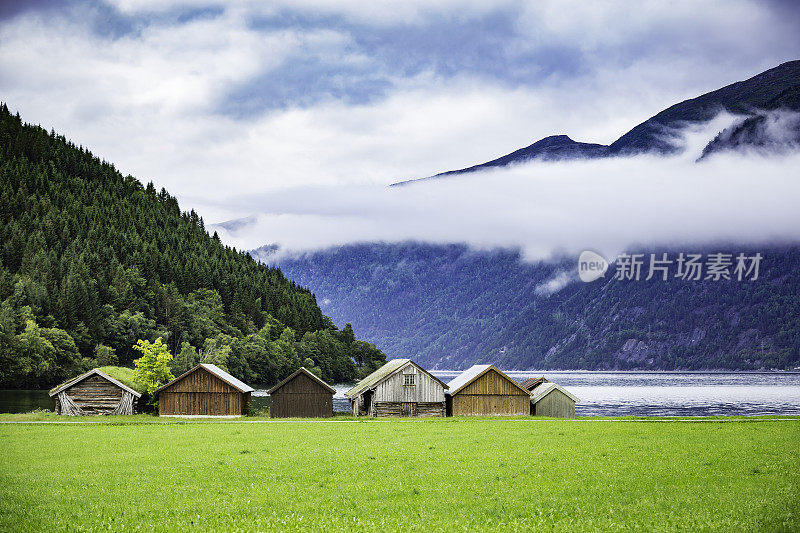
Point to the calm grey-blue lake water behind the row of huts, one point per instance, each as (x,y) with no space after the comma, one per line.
(602,393)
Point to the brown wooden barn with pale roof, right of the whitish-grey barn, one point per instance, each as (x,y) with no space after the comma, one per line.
(483,390)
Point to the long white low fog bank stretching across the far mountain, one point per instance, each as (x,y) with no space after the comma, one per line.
(548,209)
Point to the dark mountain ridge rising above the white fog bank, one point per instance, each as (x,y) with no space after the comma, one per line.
(775,89)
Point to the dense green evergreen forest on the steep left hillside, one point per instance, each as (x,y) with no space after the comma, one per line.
(91,261)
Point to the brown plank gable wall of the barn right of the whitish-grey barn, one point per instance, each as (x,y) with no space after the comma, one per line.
(491,394)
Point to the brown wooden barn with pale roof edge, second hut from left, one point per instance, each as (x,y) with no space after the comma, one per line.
(205,390)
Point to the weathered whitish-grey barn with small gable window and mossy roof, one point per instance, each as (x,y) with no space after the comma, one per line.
(398,388)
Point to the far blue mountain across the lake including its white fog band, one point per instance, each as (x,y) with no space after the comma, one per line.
(710,175)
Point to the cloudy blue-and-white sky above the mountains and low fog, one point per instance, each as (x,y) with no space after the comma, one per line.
(226,102)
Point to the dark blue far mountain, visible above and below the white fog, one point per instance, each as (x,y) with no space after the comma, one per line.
(450,307)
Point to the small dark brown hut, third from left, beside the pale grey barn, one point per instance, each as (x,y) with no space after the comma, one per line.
(301,395)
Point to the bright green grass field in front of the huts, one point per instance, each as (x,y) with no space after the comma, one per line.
(428,475)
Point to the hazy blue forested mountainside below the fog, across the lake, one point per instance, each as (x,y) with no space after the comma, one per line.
(450,307)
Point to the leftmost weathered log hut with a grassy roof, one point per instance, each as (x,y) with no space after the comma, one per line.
(94,393)
